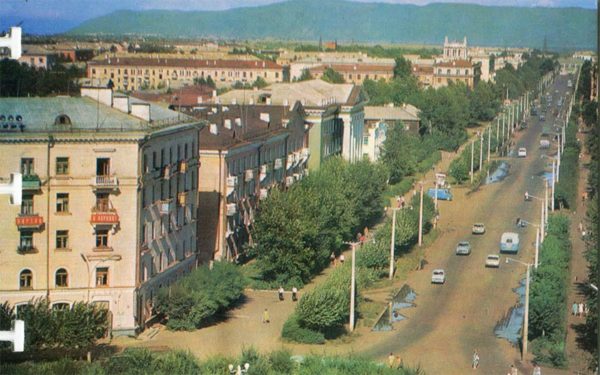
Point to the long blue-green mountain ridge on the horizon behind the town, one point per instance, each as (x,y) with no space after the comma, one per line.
(563,28)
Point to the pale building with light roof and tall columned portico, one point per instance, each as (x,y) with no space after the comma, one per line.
(335,111)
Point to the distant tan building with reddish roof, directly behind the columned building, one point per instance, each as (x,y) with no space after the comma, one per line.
(356,73)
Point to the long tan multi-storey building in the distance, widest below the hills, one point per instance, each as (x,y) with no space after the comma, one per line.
(132,73)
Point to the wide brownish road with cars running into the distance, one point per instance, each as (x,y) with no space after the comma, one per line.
(451,320)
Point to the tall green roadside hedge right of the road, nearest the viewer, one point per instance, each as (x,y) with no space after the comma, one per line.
(548,294)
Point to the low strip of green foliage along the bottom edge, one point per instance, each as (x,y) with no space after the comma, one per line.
(145,362)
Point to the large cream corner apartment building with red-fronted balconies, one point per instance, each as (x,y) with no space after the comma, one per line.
(109,191)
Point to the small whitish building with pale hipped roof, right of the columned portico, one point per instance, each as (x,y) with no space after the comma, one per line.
(378,120)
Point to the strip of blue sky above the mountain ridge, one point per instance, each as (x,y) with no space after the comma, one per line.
(52,16)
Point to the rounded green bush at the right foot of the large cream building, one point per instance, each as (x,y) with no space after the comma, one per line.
(196,299)
